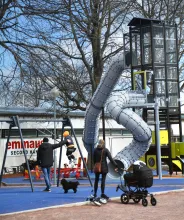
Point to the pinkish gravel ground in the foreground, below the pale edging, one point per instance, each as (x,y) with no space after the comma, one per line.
(169,207)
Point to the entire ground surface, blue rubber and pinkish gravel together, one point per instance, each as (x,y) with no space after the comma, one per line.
(22,200)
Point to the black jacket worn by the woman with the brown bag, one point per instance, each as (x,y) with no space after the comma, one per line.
(106,154)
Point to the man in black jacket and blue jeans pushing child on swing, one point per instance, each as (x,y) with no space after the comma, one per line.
(45,159)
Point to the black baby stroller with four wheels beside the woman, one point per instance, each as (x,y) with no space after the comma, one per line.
(136,185)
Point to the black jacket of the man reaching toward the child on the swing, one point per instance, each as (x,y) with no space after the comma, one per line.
(45,153)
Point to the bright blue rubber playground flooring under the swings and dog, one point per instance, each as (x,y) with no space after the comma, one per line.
(21,198)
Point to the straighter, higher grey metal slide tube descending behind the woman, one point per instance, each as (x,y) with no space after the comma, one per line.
(104,89)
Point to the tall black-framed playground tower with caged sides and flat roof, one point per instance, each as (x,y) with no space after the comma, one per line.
(154,67)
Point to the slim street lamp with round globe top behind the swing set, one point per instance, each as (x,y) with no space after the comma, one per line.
(55,93)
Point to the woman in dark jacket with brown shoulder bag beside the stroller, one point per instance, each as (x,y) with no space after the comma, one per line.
(102,152)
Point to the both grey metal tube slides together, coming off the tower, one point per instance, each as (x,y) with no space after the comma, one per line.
(118,105)
